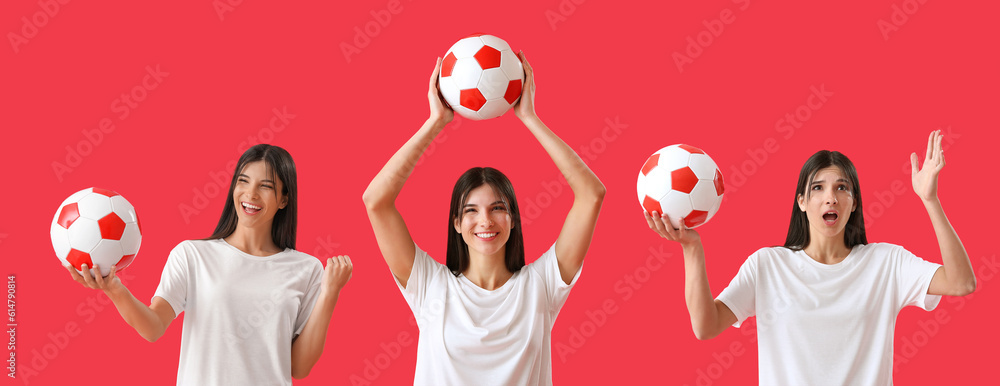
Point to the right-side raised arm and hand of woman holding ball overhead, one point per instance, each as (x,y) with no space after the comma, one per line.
(588,191)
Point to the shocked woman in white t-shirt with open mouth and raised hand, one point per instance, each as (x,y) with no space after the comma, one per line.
(826,302)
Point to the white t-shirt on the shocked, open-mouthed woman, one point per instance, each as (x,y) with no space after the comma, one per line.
(820,324)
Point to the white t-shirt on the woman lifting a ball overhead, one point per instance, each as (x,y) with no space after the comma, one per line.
(472,336)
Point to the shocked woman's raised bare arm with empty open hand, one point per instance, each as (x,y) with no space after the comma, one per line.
(956,277)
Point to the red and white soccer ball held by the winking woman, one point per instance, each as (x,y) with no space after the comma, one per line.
(96,226)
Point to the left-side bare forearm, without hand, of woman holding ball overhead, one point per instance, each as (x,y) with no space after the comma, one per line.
(389,181)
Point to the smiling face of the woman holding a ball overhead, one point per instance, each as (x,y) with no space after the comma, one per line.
(484,221)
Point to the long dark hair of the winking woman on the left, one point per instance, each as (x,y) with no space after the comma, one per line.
(280,167)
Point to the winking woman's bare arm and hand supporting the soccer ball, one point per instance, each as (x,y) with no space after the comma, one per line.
(149,321)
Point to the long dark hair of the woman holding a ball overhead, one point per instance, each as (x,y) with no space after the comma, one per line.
(458,250)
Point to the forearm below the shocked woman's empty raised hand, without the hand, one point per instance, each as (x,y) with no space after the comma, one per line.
(958,269)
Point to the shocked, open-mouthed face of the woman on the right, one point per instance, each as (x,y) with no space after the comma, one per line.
(828,202)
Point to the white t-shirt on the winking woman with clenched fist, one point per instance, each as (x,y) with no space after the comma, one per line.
(241,311)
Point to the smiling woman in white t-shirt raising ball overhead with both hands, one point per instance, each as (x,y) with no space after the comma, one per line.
(485,318)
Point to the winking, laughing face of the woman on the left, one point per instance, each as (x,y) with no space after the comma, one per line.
(256,196)
